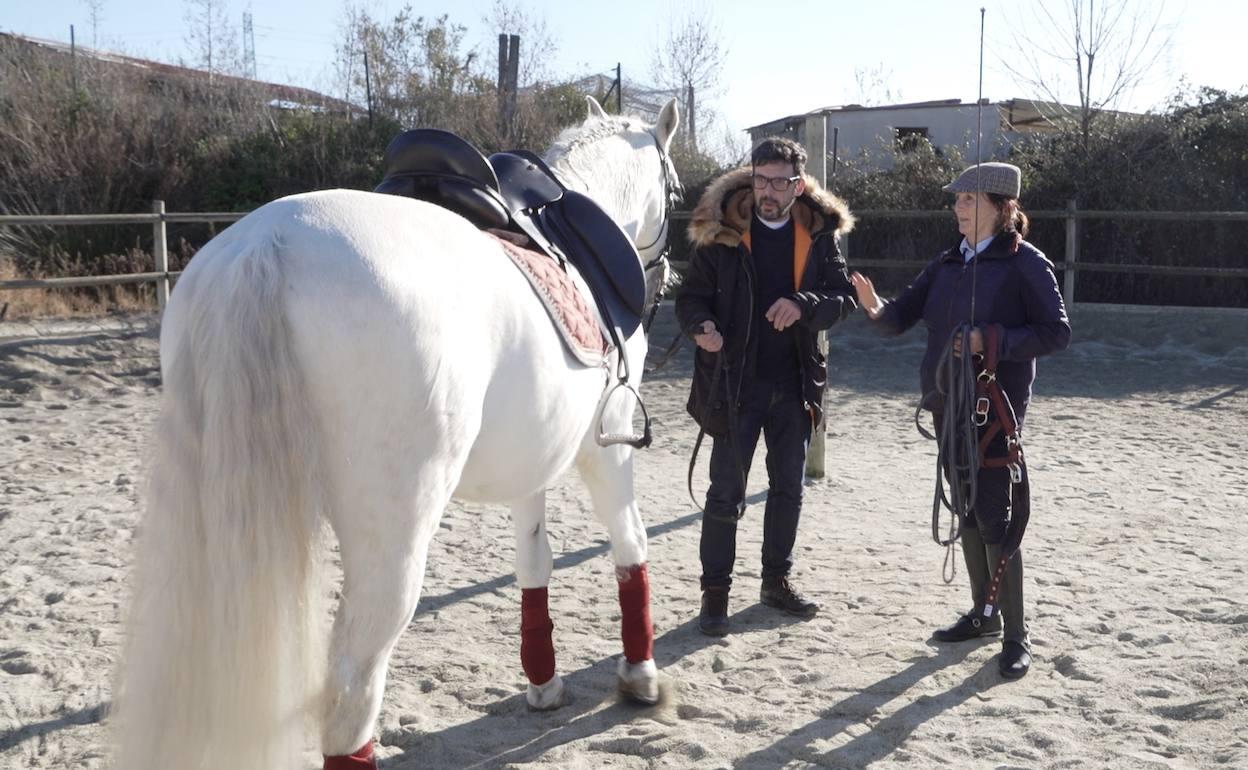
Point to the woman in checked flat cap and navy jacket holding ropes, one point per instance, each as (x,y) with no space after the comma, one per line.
(1004,288)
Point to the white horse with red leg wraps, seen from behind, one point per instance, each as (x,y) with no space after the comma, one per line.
(361,359)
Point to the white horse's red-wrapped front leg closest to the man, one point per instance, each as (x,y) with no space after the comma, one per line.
(610,476)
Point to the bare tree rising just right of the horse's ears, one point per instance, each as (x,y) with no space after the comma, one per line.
(690,59)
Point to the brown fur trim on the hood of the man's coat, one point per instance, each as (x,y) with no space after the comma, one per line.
(723,214)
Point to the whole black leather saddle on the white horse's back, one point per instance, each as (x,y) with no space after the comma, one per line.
(516,190)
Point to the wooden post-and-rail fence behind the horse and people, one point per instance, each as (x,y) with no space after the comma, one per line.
(1071,266)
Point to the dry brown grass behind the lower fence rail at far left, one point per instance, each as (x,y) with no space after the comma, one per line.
(71,303)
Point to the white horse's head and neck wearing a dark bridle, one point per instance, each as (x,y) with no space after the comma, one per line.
(625,165)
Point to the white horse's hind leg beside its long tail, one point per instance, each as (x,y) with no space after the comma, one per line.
(384,542)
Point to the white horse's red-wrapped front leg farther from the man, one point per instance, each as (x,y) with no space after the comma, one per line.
(534,568)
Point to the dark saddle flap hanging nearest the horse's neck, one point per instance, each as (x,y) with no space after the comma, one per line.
(603,254)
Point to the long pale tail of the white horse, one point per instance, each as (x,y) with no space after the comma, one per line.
(225,651)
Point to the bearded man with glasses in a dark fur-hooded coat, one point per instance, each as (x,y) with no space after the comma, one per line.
(766,278)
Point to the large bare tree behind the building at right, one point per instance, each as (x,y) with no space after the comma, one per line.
(1096,52)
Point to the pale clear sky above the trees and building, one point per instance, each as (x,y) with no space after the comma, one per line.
(776,64)
